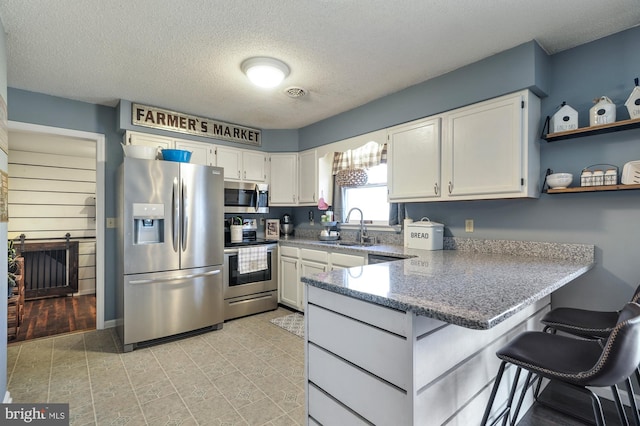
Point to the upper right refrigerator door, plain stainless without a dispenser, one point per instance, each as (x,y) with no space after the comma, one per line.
(202,220)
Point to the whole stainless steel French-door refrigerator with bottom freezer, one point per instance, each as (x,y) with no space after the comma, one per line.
(171,249)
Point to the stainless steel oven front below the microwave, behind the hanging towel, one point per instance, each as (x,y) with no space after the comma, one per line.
(253,292)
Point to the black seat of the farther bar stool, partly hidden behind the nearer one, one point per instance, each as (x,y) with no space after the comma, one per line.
(581,322)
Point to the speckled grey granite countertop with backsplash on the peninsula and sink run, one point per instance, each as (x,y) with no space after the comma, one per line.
(474,283)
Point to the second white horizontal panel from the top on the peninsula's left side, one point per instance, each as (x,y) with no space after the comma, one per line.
(379,352)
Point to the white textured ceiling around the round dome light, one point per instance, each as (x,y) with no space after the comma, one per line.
(185,55)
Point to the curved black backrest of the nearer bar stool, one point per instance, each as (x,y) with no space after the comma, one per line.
(621,352)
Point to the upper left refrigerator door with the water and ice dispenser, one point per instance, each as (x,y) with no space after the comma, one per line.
(151,185)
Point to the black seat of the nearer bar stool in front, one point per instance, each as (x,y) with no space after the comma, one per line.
(552,356)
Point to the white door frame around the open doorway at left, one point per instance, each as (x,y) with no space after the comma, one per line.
(100,197)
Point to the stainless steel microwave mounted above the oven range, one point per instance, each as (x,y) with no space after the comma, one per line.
(242,197)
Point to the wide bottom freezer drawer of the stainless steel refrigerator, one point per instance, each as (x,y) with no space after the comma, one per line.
(163,304)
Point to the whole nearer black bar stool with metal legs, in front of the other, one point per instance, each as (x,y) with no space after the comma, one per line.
(574,362)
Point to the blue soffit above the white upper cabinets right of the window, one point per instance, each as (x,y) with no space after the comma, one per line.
(524,66)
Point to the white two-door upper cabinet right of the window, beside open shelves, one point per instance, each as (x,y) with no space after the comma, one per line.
(488,150)
